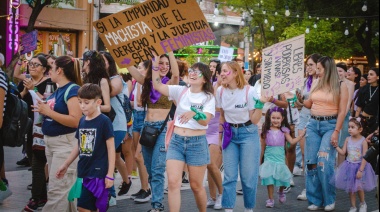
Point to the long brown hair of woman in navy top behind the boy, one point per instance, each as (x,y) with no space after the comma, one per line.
(71,68)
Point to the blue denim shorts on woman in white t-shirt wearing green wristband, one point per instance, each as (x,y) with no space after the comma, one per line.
(193,150)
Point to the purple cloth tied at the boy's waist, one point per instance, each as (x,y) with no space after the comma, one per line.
(98,188)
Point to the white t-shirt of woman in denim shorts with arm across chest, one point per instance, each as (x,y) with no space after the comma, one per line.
(201,101)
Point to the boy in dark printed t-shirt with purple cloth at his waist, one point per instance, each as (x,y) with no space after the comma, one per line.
(96,150)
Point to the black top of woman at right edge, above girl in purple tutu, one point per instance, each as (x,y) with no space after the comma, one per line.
(369,104)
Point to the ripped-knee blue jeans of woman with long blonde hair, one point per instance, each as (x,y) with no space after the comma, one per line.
(318,137)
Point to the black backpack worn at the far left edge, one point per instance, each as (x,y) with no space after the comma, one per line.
(16,122)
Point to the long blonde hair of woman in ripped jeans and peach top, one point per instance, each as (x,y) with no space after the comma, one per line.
(330,79)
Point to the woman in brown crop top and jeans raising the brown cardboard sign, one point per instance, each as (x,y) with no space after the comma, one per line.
(158,107)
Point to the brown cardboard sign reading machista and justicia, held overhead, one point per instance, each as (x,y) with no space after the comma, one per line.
(157,26)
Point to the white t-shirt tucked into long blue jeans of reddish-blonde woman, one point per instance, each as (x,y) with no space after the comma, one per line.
(236,104)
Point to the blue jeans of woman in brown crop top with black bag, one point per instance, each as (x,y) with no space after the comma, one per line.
(155,163)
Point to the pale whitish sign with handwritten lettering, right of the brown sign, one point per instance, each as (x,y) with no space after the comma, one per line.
(283,66)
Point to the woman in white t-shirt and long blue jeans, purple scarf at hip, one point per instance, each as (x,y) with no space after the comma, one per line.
(235,98)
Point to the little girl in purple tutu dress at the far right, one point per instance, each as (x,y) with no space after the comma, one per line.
(354,175)
